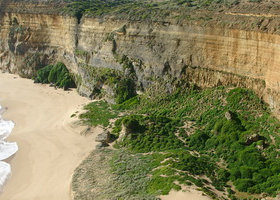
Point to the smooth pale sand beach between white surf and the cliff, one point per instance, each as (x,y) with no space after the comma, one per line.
(50,148)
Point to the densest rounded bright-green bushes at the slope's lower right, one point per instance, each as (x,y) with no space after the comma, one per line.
(248,166)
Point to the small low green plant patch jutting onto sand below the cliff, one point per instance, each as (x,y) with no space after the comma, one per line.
(98,113)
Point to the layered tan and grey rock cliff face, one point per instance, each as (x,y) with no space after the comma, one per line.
(164,51)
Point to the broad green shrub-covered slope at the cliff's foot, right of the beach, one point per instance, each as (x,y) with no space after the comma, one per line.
(233,138)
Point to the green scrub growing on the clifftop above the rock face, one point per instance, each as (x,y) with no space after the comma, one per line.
(142,9)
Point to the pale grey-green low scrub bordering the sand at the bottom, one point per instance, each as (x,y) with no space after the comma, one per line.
(119,174)
